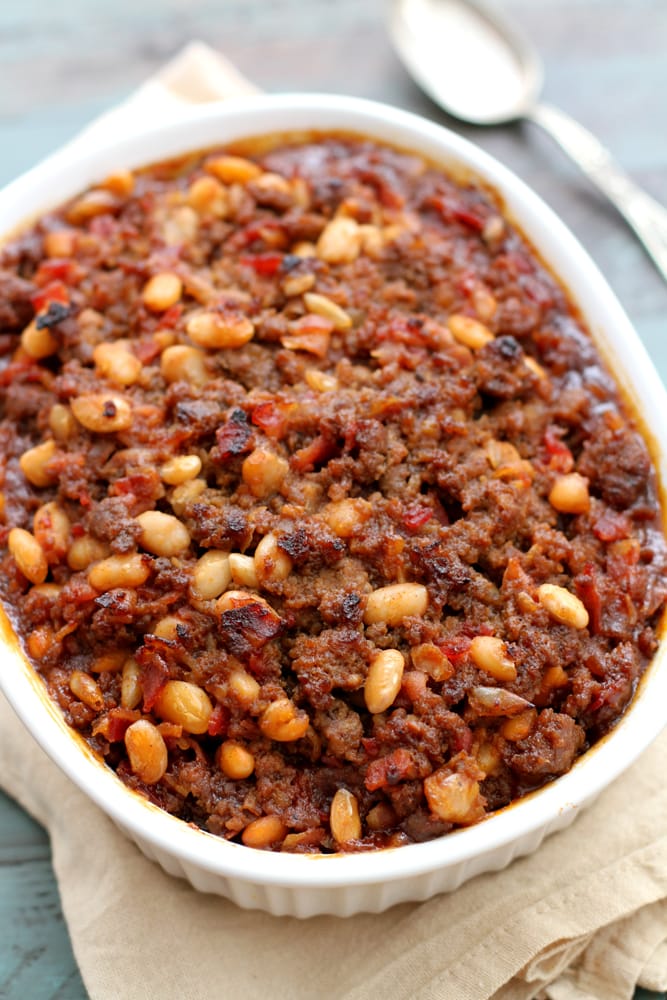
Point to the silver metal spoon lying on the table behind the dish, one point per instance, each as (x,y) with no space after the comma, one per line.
(477,67)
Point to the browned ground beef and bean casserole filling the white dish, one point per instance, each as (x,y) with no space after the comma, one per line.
(322,520)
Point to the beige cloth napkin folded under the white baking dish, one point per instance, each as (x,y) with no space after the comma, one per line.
(584,918)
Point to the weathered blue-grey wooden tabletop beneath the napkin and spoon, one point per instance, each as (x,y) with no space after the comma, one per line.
(62,64)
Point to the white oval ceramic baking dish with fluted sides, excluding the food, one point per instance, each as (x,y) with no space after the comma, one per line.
(345,884)
